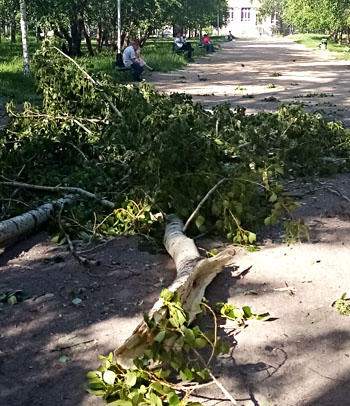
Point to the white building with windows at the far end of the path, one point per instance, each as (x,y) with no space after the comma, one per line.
(243,19)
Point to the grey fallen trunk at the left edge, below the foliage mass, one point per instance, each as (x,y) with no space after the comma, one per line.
(19,226)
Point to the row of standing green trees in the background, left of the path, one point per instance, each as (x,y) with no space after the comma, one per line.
(73,20)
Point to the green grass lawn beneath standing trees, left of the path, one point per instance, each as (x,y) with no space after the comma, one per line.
(158,53)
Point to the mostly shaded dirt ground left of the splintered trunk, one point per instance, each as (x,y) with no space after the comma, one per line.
(47,343)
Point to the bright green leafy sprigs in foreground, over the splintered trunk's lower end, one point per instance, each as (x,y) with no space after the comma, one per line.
(168,367)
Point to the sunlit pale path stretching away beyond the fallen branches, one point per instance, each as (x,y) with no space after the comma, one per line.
(314,78)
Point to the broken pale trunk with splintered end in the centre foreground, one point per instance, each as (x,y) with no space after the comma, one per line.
(194,274)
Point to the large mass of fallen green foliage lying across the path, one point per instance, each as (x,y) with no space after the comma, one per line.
(164,154)
